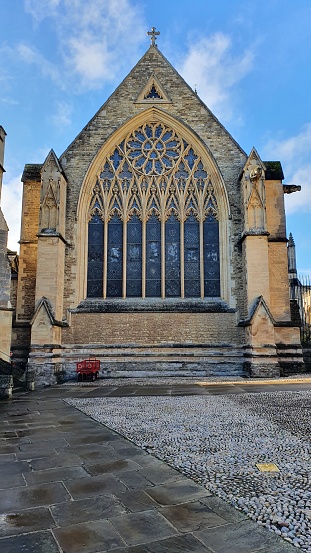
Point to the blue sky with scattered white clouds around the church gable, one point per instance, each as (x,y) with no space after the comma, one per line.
(249,60)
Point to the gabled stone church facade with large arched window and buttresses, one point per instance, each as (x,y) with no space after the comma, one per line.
(155,243)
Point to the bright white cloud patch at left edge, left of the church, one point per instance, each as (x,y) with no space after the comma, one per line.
(11,203)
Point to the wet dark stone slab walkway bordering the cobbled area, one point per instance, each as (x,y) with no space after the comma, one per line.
(71,485)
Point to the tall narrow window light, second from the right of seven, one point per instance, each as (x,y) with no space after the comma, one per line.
(192,257)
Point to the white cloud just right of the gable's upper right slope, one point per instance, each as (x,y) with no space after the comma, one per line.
(211,66)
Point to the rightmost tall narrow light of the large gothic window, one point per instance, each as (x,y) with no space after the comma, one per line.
(211,257)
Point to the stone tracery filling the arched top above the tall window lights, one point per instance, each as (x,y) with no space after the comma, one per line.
(153,172)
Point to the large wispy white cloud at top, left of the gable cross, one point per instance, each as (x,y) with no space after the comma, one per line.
(96,38)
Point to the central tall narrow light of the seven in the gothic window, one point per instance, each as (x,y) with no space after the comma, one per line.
(153,257)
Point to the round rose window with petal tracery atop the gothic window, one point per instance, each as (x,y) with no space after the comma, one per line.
(153,149)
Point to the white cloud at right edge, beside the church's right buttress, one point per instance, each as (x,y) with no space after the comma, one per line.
(295,155)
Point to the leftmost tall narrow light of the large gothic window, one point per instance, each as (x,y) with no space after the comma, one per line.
(95,257)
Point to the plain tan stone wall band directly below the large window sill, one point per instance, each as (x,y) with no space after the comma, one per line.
(152,328)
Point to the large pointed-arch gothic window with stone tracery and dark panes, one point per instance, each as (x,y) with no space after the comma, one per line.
(153,220)
